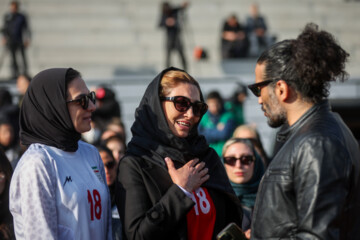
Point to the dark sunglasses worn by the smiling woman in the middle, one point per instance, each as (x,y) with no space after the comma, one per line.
(182,104)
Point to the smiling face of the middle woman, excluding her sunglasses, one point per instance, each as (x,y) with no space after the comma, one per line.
(181,123)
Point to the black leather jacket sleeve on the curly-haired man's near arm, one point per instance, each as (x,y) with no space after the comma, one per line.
(321,186)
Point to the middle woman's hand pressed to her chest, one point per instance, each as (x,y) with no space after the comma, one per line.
(190,176)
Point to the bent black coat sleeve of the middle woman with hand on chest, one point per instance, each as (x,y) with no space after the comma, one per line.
(141,217)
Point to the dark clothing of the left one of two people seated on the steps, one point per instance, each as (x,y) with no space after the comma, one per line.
(234,49)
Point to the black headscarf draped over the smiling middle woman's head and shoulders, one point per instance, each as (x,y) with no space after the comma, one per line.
(153,140)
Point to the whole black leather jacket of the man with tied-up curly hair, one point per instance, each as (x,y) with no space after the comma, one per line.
(311,188)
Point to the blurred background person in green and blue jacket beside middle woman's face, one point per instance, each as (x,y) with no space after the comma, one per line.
(218,124)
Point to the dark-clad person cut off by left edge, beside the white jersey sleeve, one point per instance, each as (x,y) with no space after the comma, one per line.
(6,220)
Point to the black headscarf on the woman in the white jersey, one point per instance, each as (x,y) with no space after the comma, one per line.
(44,115)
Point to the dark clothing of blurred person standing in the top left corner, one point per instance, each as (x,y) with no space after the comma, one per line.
(15,26)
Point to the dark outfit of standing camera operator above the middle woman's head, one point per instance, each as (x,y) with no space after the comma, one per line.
(173,36)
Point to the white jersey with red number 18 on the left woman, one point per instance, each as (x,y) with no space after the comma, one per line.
(60,195)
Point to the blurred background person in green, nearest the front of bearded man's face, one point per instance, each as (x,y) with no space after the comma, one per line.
(236,103)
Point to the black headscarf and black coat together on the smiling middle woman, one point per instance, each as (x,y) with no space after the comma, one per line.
(151,206)
